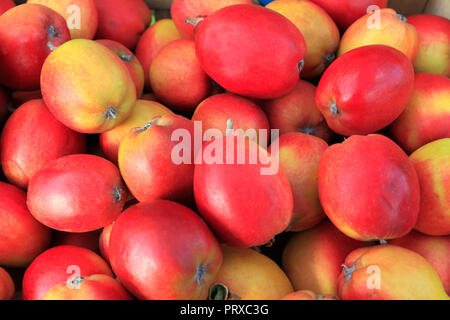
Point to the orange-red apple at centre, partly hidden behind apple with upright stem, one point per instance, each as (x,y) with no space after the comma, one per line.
(215,110)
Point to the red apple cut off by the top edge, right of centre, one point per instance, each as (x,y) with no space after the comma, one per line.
(345,12)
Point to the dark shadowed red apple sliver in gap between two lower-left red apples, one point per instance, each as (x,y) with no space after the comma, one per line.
(88,240)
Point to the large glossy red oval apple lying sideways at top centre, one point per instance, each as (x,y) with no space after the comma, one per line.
(247,71)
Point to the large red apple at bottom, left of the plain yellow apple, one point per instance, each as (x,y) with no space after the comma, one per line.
(163,237)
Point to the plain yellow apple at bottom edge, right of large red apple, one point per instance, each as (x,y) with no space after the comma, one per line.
(249,275)
